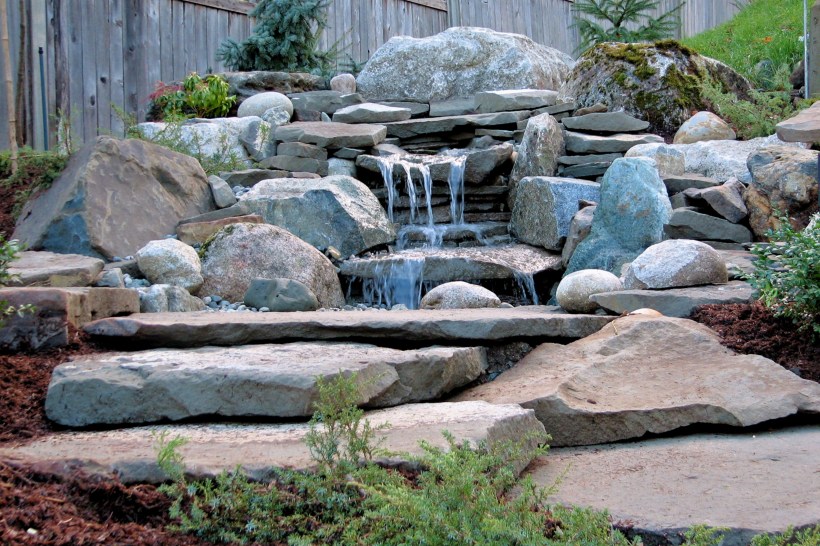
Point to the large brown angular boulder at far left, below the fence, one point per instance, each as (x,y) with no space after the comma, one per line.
(95,207)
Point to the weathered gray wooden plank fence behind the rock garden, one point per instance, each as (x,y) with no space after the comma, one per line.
(106,55)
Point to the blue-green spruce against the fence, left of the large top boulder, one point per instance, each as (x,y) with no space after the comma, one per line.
(286,38)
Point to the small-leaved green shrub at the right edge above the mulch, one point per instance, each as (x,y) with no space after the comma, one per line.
(787,273)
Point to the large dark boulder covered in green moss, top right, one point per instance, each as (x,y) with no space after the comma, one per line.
(660,82)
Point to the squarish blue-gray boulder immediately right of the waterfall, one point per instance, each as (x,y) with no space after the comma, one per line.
(543,208)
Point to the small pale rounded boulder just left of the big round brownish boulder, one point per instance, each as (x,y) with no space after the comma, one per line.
(169,261)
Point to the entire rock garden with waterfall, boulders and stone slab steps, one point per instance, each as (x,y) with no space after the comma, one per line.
(481,234)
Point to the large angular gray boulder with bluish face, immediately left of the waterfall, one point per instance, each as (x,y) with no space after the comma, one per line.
(336,211)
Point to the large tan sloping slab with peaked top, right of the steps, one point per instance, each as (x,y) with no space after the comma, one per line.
(643,375)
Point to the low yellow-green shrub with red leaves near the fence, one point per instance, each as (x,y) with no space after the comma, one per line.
(200,97)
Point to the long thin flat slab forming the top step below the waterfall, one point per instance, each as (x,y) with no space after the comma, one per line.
(452,325)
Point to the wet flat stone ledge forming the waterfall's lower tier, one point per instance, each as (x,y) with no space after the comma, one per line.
(454,264)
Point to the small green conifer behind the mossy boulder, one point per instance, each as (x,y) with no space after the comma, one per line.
(619,20)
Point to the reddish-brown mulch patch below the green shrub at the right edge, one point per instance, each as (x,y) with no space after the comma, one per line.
(752,329)
